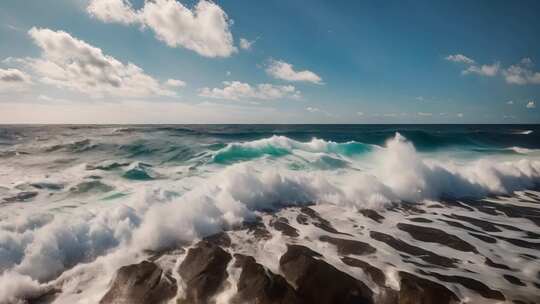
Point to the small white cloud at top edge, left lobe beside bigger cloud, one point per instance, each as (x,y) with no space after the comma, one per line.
(113,11)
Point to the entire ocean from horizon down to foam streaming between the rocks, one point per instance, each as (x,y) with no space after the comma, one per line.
(79,201)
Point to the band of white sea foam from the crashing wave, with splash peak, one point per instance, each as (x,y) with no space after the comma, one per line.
(45,244)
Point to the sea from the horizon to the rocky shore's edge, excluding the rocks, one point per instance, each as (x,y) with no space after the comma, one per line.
(87,199)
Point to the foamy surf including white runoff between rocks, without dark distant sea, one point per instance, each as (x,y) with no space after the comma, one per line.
(68,240)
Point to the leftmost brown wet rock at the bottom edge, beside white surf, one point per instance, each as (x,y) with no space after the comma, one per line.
(143,283)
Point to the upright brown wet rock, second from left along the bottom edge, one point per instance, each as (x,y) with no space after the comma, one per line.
(204,271)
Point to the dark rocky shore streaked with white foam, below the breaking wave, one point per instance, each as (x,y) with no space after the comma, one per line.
(431,253)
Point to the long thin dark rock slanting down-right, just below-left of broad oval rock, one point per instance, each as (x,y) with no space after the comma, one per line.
(423,254)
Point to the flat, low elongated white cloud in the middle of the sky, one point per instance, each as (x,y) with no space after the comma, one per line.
(236,90)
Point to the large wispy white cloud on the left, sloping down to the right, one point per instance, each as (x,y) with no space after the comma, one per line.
(67,62)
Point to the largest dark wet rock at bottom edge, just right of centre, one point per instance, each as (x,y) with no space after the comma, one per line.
(319,282)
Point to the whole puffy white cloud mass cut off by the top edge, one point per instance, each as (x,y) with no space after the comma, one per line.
(204,29)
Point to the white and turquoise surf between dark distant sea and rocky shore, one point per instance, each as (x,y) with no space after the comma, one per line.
(76,237)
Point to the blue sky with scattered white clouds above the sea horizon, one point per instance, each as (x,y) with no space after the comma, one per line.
(274,61)
